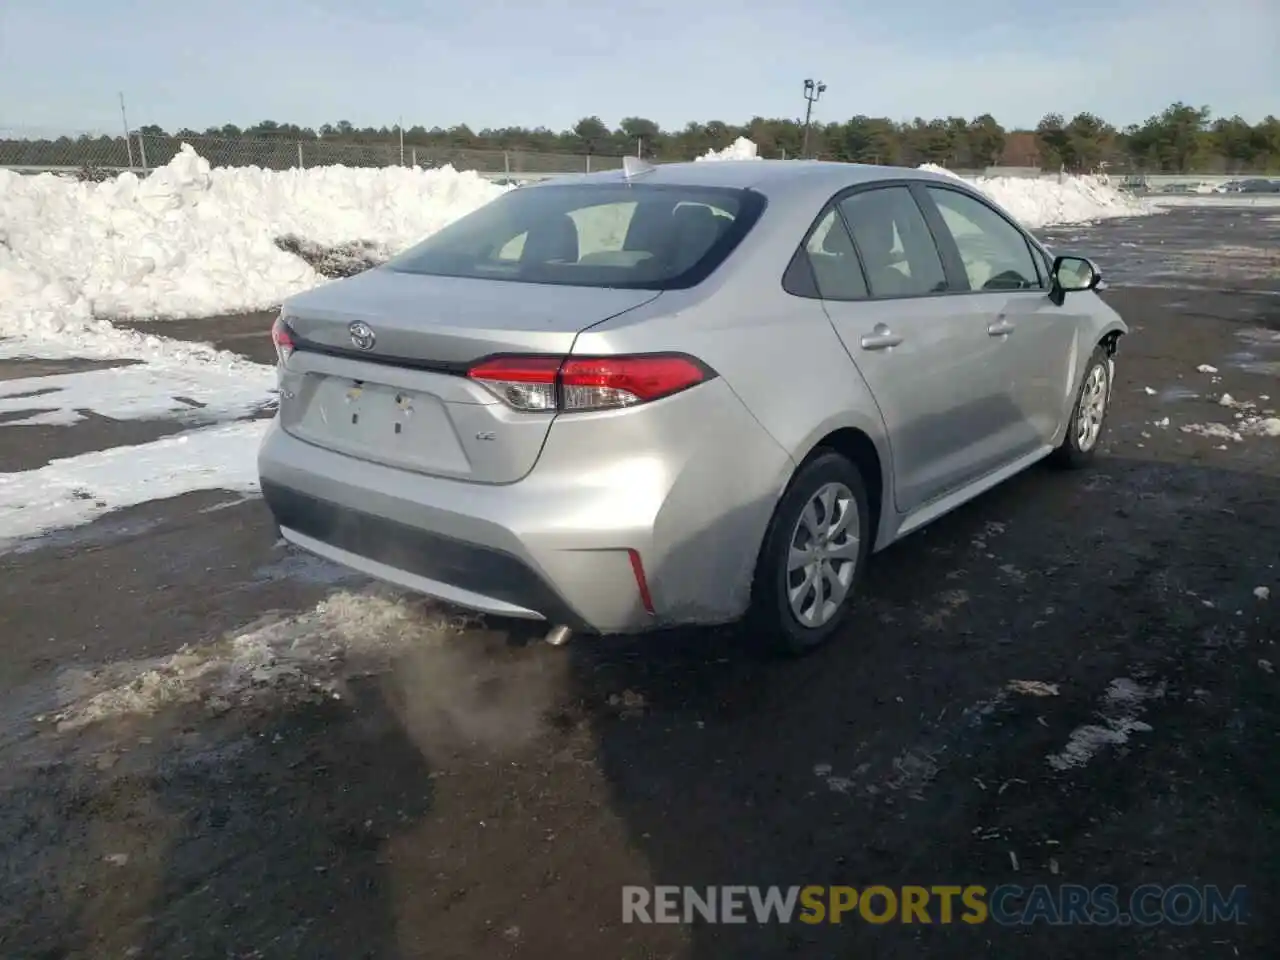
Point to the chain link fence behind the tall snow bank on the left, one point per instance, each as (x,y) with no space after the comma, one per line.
(144,153)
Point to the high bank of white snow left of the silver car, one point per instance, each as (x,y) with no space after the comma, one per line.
(193,241)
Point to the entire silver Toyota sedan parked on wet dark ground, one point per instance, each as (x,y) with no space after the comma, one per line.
(620,403)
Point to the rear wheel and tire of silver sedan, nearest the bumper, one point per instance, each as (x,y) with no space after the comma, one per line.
(813,557)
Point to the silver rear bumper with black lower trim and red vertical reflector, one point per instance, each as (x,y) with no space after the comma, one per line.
(687,487)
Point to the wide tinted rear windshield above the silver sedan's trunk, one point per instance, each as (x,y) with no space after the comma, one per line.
(592,235)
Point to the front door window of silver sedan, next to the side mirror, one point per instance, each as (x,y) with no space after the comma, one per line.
(996,255)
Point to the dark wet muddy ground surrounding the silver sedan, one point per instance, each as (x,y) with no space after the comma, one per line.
(196,761)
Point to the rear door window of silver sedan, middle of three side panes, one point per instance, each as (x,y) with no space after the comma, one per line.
(894,240)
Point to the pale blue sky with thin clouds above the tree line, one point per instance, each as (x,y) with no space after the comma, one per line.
(552,62)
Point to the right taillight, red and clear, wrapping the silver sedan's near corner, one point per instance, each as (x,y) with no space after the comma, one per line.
(578,385)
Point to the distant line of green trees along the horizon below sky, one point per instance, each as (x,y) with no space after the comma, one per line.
(1182,139)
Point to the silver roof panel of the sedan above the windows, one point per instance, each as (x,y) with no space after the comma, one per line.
(769,177)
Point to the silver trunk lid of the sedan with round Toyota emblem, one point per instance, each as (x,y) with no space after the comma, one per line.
(380,363)
